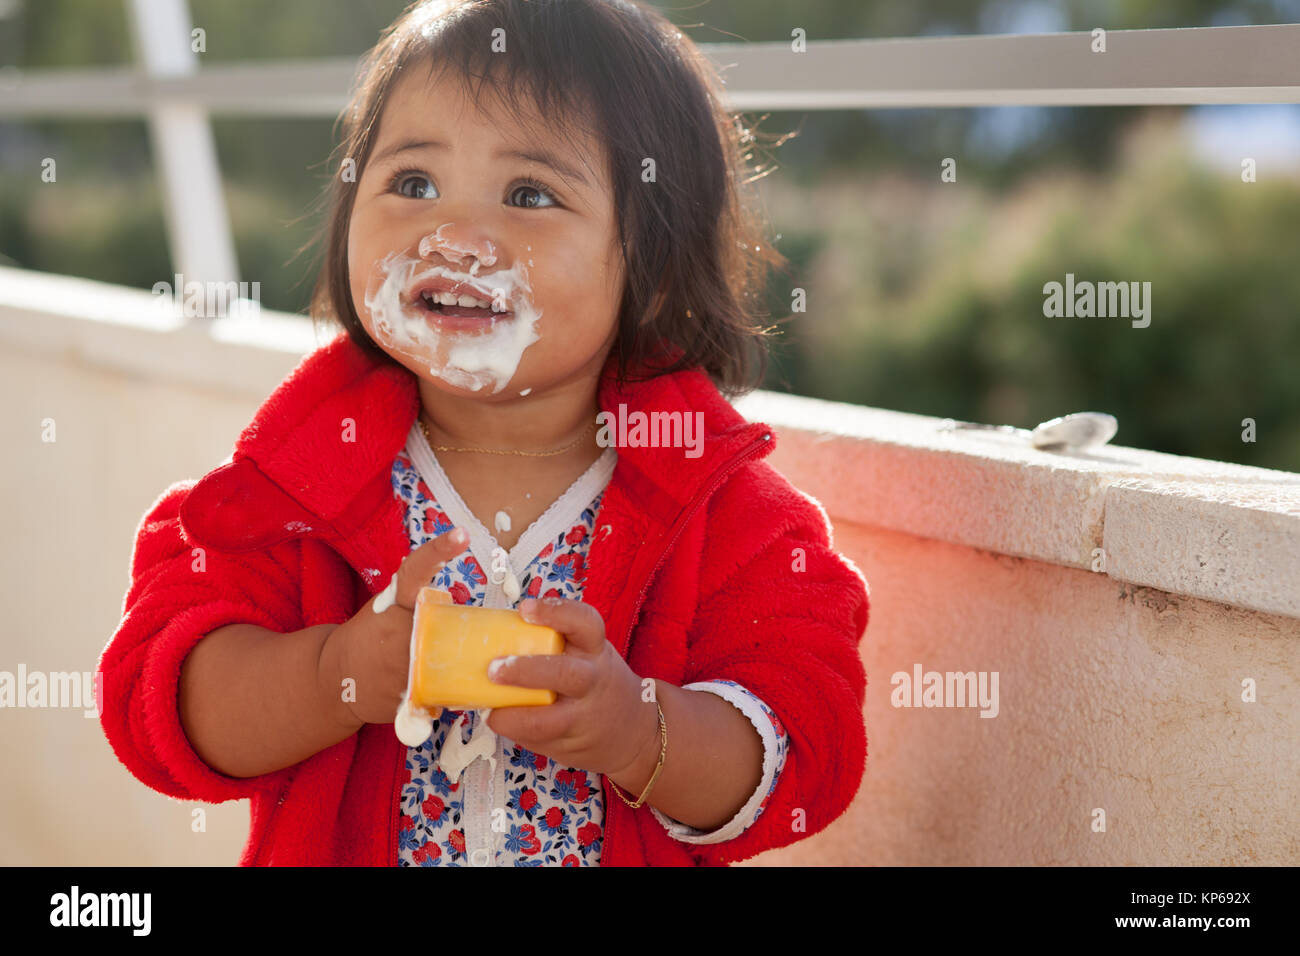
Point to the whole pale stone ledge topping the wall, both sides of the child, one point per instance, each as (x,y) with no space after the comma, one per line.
(1224,533)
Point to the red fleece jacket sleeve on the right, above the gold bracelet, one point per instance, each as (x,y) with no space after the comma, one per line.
(782,613)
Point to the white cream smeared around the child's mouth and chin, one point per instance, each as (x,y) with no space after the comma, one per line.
(473,360)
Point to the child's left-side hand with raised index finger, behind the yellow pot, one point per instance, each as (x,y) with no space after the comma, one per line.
(375,650)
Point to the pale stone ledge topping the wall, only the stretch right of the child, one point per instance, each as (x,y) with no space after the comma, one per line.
(1212,530)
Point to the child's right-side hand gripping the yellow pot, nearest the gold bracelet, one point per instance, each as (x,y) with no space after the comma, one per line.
(599,723)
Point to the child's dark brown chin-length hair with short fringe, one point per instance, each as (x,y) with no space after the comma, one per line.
(630,79)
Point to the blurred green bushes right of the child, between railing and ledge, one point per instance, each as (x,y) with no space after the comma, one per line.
(963,335)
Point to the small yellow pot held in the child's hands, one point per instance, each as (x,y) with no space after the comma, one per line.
(453,646)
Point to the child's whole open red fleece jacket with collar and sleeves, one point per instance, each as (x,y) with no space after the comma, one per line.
(694,568)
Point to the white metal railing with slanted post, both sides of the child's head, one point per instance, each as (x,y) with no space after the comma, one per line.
(1198,66)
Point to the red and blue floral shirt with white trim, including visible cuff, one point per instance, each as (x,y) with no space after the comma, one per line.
(471,798)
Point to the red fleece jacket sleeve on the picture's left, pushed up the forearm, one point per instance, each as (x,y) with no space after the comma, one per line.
(179,594)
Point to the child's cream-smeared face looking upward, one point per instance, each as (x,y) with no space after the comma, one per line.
(467,219)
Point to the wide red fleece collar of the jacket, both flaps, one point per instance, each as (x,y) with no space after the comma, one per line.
(314,448)
